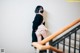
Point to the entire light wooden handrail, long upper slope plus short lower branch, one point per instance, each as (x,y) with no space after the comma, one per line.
(40,45)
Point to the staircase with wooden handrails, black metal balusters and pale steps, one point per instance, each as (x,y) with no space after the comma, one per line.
(67,43)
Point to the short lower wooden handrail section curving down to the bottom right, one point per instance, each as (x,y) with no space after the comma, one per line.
(45,47)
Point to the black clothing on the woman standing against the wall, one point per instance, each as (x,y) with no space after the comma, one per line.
(37,21)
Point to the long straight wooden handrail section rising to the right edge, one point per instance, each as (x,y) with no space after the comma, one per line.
(59,32)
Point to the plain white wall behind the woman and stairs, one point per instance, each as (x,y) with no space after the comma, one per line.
(16,18)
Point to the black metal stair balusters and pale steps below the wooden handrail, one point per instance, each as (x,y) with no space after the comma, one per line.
(68,43)
